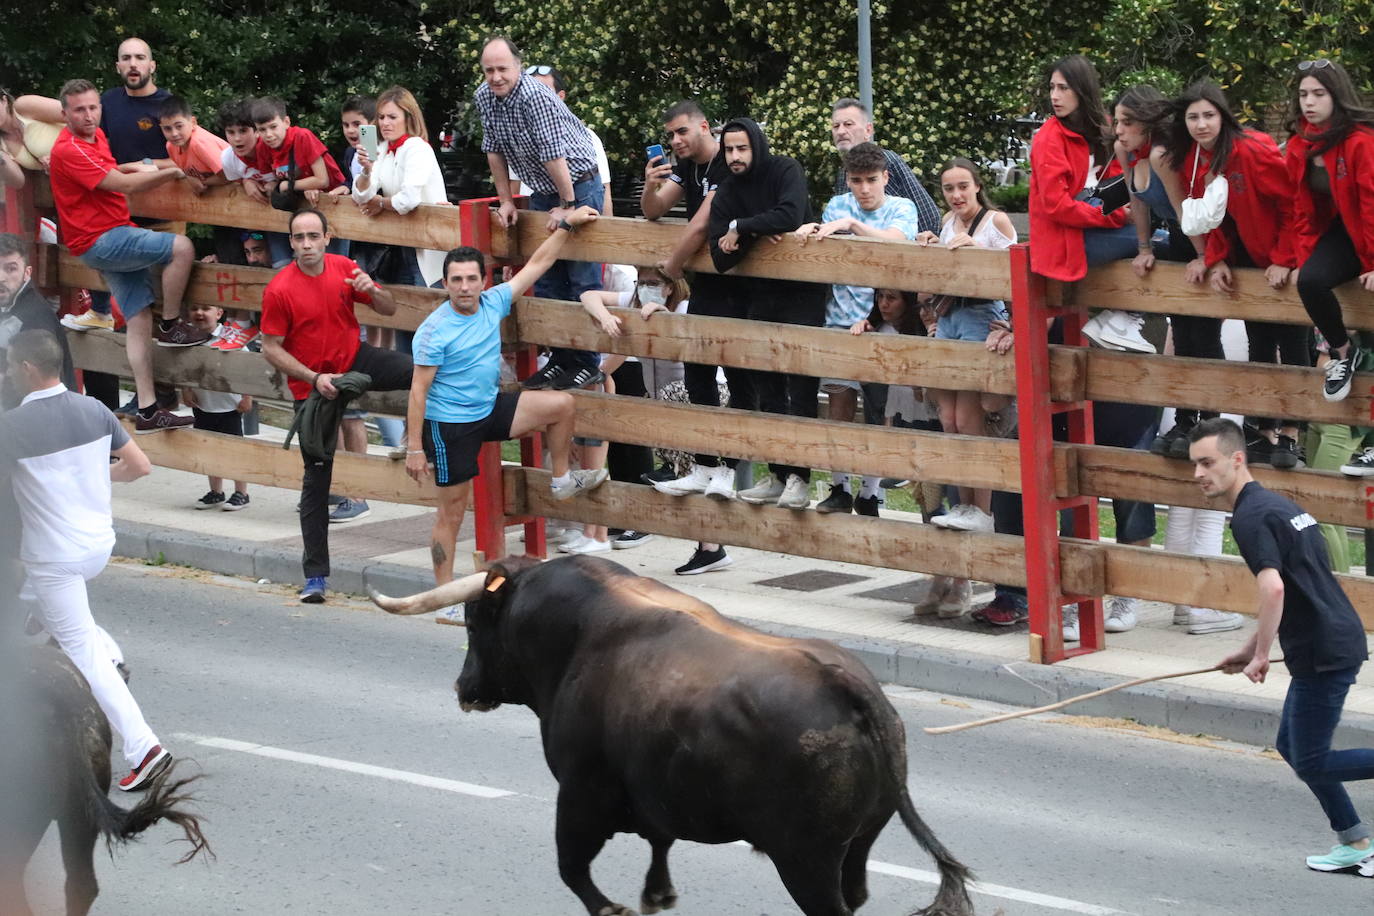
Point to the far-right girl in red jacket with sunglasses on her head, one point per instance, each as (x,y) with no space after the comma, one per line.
(1331,161)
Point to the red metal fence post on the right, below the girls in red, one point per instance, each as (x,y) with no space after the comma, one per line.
(1031,318)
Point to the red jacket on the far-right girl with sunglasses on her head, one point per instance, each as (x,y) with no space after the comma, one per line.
(1350,165)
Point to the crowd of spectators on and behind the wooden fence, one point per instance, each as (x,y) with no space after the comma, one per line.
(1145,179)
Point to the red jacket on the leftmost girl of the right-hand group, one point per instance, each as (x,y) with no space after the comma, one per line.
(1059,174)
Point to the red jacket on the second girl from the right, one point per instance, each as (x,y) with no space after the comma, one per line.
(1259,200)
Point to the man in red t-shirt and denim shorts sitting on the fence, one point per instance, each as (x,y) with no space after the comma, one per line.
(89,189)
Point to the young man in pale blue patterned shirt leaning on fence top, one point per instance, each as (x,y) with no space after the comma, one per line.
(866,212)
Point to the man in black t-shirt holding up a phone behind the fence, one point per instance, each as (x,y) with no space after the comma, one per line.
(699,171)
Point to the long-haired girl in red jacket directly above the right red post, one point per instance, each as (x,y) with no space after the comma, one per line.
(1071,156)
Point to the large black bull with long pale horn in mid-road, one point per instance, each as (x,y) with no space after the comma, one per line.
(663,719)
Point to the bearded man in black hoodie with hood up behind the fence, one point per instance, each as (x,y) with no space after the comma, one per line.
(763,197)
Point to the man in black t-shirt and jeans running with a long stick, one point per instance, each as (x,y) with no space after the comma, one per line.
(1320,632)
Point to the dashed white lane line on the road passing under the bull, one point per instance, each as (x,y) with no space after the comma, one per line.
(486,792)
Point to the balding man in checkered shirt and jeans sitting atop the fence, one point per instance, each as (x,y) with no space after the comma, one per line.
(528,128)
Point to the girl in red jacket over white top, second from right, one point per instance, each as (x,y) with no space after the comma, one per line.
(1210,145)
